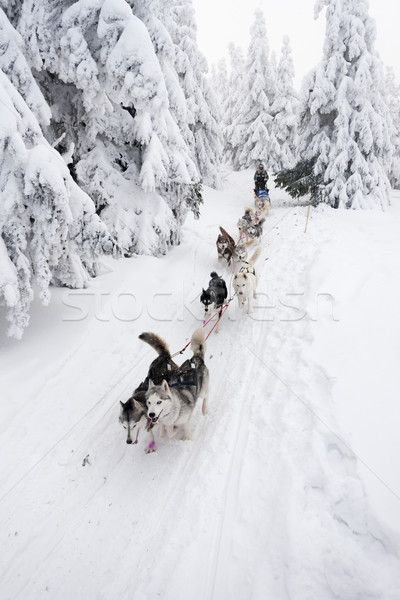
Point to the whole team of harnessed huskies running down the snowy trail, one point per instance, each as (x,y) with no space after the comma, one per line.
(166,398)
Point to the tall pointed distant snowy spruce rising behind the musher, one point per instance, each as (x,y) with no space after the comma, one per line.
(253,123)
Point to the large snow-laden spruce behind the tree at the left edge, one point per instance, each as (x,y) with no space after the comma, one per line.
(111,116)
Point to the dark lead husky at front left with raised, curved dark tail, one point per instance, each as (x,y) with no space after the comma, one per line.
(133,411)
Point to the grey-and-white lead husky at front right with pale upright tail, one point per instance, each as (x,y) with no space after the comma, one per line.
(171,405)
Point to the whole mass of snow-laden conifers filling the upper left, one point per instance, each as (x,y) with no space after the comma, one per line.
(112,117)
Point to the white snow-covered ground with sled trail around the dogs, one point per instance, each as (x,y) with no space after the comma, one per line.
(268,500)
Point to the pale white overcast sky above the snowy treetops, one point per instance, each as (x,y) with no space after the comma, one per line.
(222,21)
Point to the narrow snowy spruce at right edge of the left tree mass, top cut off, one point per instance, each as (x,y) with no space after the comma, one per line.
(205,139)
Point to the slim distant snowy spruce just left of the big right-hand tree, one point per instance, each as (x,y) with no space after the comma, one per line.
(285,109)
